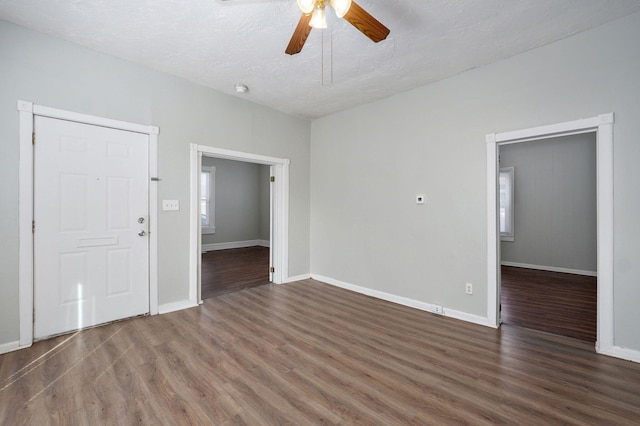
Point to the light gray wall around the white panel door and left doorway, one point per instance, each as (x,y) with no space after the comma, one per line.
(51,72)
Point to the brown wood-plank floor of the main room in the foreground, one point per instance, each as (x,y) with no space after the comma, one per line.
(308,353)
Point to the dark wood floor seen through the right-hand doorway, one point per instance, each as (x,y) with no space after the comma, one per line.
(564,304)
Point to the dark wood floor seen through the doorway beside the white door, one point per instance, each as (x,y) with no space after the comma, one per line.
(226,271)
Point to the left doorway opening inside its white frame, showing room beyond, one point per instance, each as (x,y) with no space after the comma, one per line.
(235,225)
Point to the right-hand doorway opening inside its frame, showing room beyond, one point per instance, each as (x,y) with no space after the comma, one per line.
(548,253)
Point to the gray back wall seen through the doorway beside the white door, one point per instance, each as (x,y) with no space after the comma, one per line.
(238,201)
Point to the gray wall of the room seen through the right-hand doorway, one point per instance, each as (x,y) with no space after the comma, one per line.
(555,202)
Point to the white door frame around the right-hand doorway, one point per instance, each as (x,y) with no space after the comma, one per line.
(602,126)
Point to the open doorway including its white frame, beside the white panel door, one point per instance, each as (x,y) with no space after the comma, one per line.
(221,229)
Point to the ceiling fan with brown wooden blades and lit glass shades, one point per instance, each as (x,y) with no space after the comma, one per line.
(313,16)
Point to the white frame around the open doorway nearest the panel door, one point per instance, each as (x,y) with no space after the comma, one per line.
(279,211)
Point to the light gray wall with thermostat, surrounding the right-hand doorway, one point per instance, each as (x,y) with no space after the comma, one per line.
(368,163)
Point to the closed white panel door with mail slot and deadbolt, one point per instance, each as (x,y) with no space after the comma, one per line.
(91,261)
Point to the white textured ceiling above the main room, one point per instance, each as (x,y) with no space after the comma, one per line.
(218,43)
